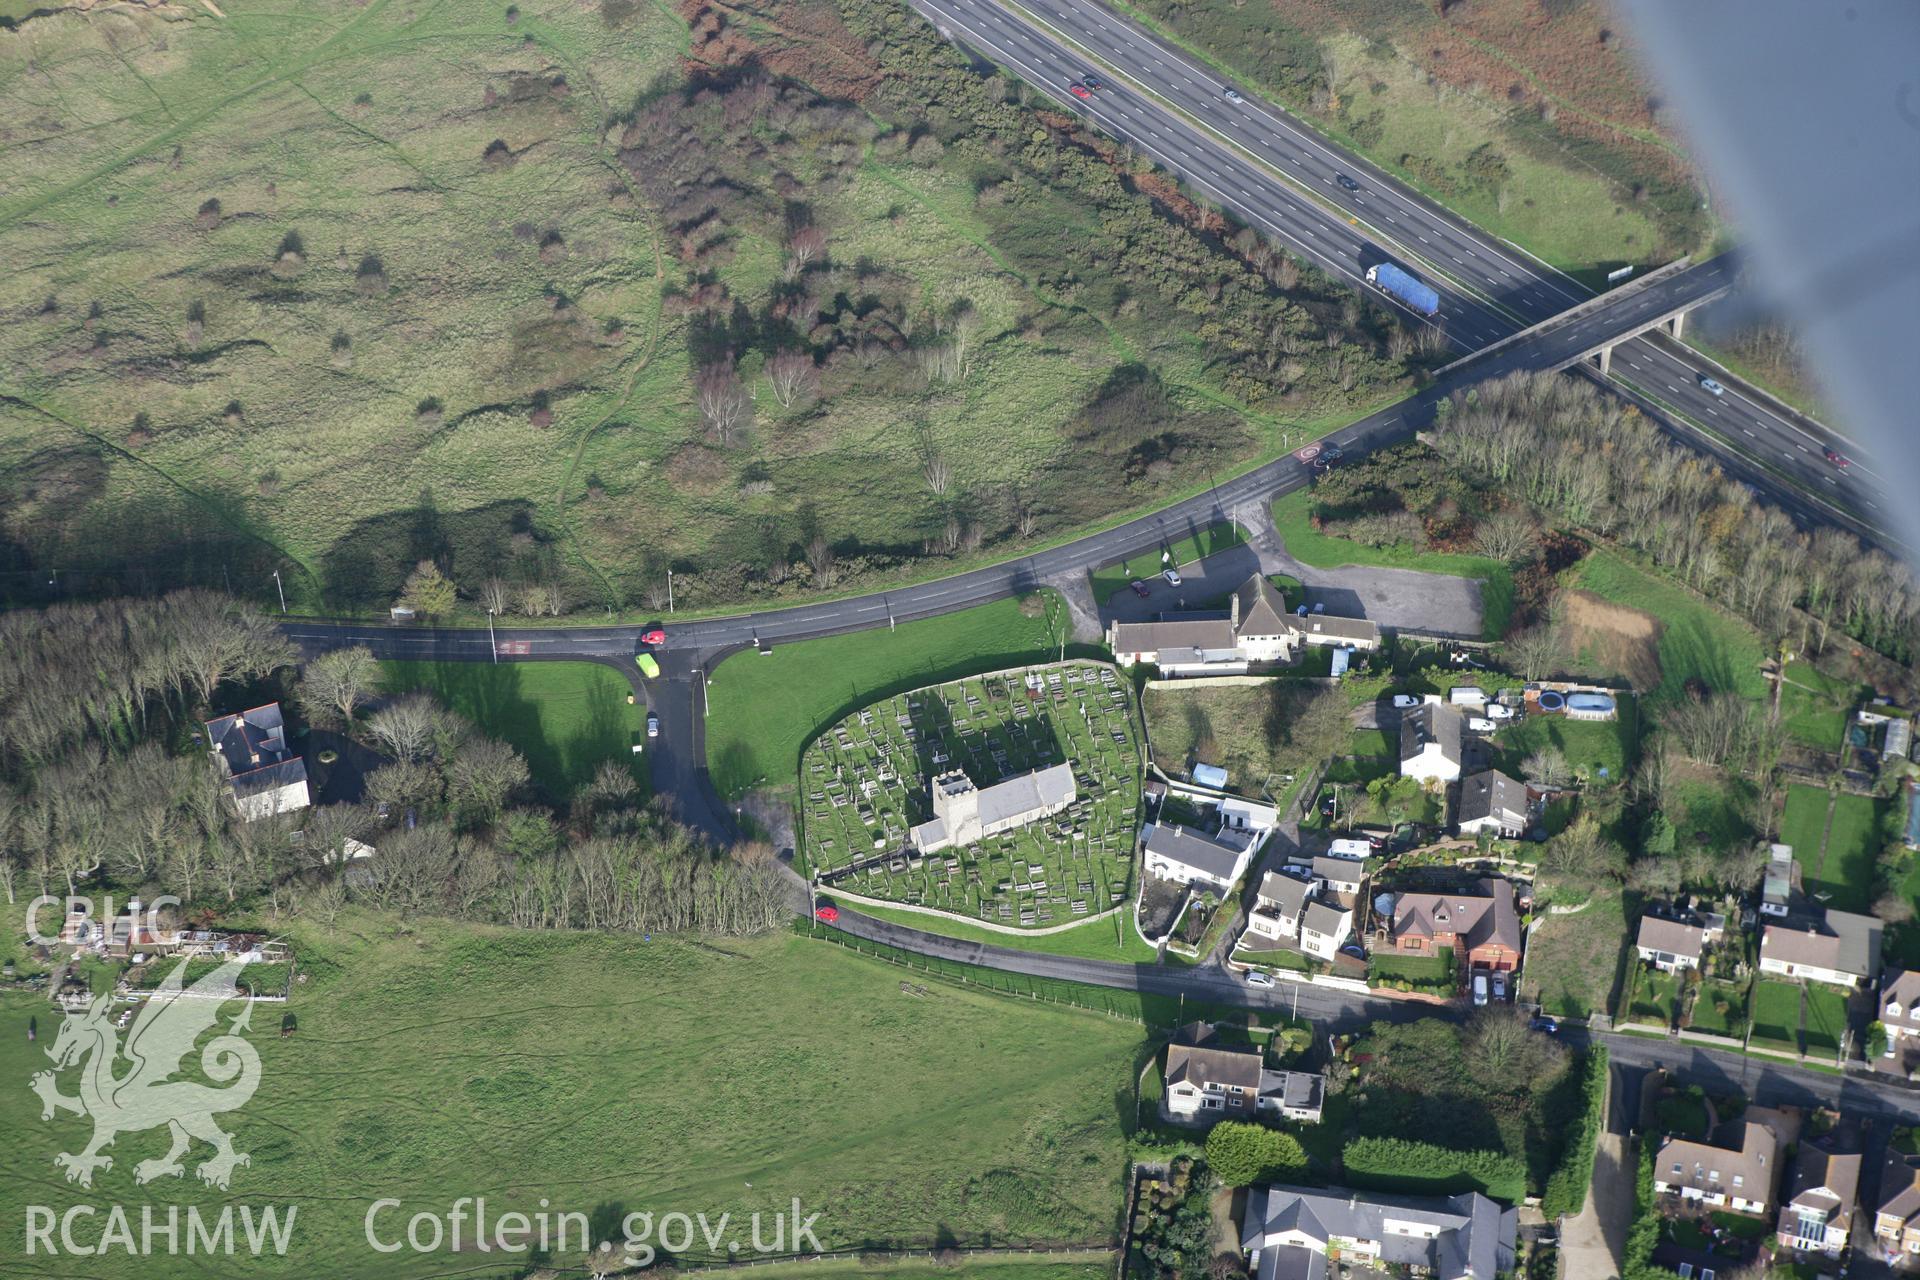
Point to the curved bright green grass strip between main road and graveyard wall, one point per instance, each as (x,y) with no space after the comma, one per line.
(767,707)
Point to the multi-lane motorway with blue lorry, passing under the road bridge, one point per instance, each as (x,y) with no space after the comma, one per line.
(1284,179)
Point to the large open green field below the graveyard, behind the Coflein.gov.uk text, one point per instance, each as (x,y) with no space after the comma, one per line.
(600,1072)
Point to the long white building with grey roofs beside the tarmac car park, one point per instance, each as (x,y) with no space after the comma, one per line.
(1257,630)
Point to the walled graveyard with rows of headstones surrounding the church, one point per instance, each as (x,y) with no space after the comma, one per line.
(865,788)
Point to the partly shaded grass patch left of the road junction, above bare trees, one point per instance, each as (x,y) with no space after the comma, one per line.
(567,719)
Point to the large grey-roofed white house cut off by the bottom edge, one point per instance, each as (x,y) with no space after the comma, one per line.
(1291,1231)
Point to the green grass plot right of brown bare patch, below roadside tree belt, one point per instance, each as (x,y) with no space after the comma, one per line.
(1698,640)
